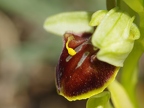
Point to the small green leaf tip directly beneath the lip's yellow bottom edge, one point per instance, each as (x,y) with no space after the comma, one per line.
(99,101)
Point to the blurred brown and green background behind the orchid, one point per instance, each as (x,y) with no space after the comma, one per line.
(29,54)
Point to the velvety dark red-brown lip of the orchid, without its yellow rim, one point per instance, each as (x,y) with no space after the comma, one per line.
(82,72)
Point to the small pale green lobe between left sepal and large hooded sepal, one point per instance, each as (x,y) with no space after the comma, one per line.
(97,17)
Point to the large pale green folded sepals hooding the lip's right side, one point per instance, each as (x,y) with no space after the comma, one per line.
(115,36)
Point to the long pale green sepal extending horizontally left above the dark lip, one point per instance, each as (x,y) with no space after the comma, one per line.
(77,22)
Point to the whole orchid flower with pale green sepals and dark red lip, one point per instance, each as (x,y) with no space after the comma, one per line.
(95,47)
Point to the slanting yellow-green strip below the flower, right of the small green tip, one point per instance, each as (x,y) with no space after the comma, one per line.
(119,96)
